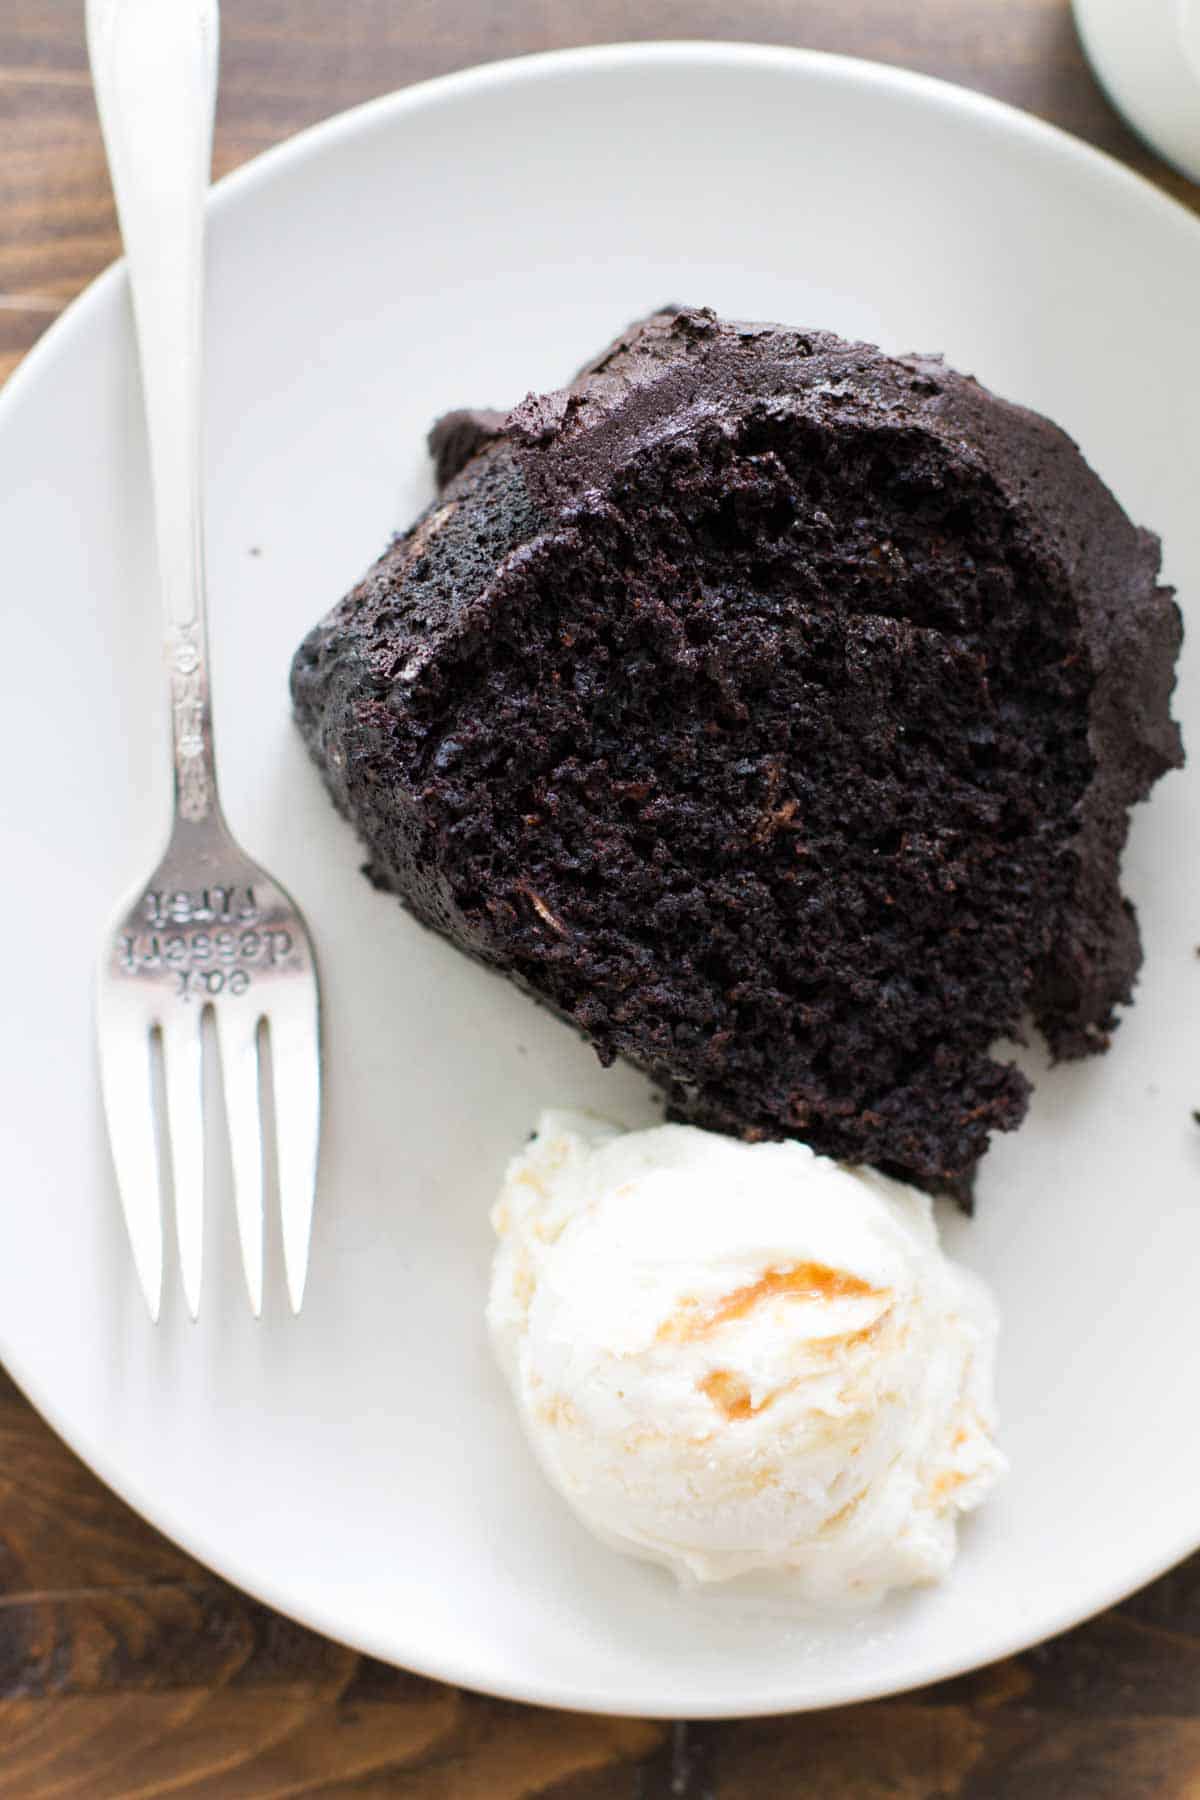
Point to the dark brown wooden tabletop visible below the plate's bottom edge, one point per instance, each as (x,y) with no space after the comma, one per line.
(125,1668)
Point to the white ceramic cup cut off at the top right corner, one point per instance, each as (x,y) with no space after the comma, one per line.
(1147,57)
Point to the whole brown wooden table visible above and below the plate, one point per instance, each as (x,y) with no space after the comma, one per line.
(125,1668)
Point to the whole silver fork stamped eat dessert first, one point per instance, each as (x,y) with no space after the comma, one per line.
(210,935)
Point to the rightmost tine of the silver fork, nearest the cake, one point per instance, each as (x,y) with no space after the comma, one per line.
(296,1079)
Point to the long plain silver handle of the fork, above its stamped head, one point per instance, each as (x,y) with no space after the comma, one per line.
(154,66)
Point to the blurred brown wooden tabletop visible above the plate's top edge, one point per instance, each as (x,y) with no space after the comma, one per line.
(292,62)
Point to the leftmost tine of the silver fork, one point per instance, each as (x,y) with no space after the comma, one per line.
(130,1115)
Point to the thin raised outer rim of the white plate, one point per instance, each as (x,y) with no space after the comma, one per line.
(314,141)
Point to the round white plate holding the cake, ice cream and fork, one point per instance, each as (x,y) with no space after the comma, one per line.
(456,244)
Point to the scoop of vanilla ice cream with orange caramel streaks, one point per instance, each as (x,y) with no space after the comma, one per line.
(744,1358)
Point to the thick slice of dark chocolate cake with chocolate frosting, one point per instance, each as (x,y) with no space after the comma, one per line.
(769,708)
